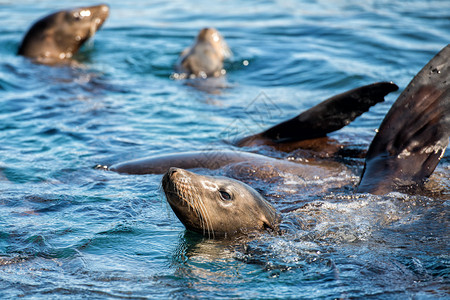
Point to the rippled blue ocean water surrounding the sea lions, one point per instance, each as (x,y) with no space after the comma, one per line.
(68,230)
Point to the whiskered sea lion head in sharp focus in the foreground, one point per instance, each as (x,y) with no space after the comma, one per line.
(217,206)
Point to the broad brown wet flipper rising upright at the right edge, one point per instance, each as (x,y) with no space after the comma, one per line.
(414,134)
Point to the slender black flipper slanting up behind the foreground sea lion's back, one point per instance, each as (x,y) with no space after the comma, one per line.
(328,116)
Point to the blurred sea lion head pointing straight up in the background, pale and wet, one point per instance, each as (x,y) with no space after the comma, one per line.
(204,58)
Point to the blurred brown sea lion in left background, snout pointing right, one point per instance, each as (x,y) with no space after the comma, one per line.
(57,37)
